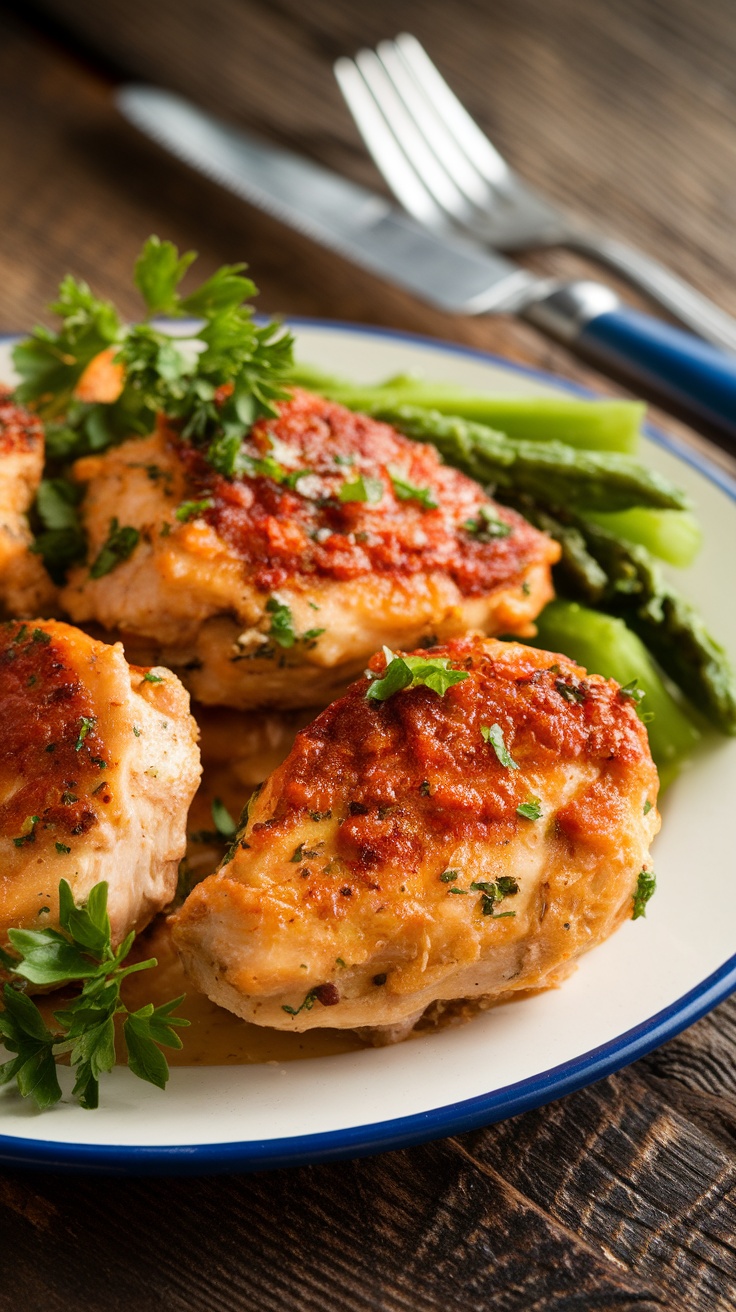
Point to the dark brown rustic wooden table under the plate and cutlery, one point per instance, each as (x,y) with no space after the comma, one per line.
(621,1196)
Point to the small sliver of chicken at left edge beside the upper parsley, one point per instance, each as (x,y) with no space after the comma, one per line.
(26,588)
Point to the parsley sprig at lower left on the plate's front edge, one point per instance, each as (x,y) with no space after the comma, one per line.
(79,952)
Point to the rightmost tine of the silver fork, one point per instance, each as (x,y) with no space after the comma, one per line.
(448,150)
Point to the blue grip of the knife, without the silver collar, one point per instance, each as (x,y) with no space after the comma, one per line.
(653,354)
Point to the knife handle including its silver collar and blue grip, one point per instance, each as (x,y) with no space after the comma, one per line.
(650,354)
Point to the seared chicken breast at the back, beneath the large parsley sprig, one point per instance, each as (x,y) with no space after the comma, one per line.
(275,587)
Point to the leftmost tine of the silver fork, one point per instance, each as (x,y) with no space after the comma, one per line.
(389,158)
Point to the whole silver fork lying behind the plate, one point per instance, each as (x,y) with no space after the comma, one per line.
(449,176)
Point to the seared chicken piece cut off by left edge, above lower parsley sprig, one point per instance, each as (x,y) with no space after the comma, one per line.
(99,763)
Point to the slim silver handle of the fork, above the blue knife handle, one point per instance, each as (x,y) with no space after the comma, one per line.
(670,292)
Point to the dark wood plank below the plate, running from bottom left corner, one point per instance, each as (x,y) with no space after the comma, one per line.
(420,1231)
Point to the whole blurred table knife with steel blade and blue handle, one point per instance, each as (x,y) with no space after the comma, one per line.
(451,274)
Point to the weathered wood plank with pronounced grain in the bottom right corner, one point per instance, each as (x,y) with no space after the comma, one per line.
(625,1171)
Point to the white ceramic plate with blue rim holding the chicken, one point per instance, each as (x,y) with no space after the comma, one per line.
(649,982)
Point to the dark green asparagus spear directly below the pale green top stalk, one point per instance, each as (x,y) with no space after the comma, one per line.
(550,472)
